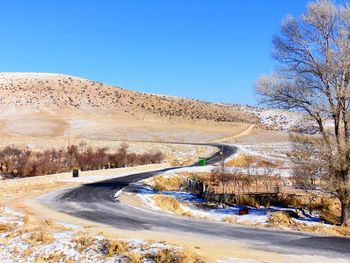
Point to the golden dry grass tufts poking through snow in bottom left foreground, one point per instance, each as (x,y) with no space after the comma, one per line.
(39,232)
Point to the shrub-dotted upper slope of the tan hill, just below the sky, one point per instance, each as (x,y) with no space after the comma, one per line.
(71,93)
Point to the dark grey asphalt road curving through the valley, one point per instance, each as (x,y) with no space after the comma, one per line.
(96,202)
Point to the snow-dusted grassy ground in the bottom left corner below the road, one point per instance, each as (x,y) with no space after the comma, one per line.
(18,245)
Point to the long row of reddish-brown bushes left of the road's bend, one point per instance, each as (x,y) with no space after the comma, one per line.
(15,162)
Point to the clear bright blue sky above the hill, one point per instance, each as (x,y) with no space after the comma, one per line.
(211,50)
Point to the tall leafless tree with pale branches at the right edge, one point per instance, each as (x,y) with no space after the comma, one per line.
(313,51)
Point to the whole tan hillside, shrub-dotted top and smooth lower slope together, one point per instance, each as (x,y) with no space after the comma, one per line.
(53,106)
